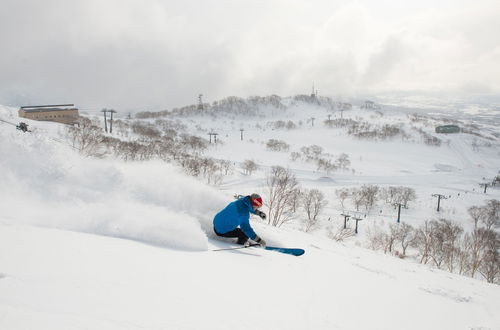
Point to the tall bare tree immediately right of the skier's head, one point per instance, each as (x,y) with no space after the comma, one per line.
(281,187)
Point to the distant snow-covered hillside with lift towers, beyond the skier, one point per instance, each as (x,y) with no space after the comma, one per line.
(453,169)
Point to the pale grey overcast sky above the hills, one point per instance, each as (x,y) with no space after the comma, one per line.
(153,54)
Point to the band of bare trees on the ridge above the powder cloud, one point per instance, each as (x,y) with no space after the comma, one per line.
(164,140)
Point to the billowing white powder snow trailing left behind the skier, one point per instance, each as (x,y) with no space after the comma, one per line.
(47,184)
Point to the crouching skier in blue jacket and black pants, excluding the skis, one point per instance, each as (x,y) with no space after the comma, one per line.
(234,220)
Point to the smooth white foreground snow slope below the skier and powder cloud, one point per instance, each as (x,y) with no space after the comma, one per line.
(54,279)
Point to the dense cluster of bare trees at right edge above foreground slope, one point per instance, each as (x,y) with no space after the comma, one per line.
(447,245)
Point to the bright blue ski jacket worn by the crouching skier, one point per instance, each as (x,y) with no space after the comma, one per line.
(235,214)
